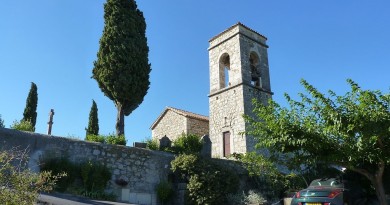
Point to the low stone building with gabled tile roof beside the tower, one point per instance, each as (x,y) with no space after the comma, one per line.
(174,122)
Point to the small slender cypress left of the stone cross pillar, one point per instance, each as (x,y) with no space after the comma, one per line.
(30,111)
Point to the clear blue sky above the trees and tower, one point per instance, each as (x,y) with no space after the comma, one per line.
(54,43)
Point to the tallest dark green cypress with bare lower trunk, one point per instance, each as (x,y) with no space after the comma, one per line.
(122,67)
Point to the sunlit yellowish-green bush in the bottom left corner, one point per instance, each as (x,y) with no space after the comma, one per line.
(18,185)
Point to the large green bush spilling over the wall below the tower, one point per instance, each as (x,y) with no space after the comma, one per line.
(208,182)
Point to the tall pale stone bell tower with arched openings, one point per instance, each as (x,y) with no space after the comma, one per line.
(238,73)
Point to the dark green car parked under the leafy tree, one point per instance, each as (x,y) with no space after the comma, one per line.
(325,191)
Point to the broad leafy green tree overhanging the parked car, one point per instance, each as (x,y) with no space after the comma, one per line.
(351,131)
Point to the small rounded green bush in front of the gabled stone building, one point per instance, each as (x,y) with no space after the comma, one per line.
(187,144)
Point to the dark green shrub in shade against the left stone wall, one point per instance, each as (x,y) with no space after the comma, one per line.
(93,177)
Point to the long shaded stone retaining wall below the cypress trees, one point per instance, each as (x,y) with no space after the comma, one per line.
(143,169)
